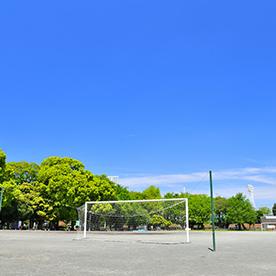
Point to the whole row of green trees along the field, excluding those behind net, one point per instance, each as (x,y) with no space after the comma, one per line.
(53,190)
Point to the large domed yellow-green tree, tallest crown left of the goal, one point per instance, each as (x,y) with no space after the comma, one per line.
(64,184)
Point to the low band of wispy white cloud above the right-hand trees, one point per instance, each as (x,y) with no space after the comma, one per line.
(228,183)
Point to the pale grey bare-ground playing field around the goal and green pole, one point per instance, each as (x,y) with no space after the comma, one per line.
(59,253)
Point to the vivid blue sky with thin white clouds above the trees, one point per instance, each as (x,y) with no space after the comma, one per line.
(156,92)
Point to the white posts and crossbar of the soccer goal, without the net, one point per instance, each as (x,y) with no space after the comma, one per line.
(145,200)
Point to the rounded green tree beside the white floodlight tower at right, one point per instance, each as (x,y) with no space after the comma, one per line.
(239,210)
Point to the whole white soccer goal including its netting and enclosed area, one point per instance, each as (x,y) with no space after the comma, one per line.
(152,221)
